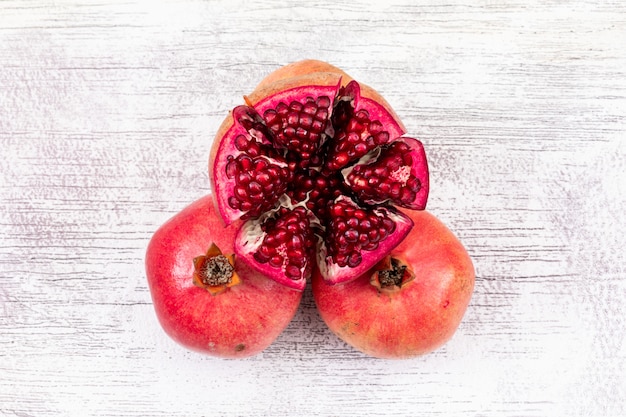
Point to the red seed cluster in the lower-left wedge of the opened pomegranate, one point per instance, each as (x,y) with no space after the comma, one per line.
(288,243)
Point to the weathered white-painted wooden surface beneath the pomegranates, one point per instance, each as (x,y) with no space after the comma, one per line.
(107,112)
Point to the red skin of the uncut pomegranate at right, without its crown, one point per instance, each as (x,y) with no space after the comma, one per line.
(420,316)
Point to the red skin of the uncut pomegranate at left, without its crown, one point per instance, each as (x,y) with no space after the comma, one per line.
(239,322)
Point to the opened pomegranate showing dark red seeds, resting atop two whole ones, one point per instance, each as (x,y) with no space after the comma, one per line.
(313,164)
